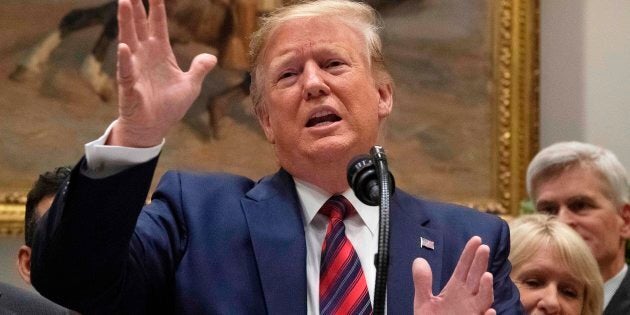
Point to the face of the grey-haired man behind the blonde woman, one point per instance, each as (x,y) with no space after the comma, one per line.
(581,198)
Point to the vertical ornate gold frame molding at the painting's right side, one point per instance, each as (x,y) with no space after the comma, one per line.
(516,80)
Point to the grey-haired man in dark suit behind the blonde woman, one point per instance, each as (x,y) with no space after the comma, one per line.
(587,188)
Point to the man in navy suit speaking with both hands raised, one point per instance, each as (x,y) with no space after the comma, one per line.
(224,244)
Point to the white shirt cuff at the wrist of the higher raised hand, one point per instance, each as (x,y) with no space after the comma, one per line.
(105,160)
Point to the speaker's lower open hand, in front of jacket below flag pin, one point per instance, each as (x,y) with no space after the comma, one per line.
(469,291)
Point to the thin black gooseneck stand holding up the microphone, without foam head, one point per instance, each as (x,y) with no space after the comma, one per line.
(381,259)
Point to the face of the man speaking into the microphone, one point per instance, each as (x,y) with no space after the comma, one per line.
(323,104)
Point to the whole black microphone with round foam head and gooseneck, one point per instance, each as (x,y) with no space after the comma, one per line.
(373,184)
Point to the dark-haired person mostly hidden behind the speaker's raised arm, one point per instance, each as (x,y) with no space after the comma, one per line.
(14,300)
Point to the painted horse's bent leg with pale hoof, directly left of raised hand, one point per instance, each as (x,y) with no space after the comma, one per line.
(92,67)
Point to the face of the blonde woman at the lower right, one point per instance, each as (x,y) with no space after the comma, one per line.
(547,286)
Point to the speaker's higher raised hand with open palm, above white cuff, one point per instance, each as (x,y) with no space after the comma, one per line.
(153,92)
